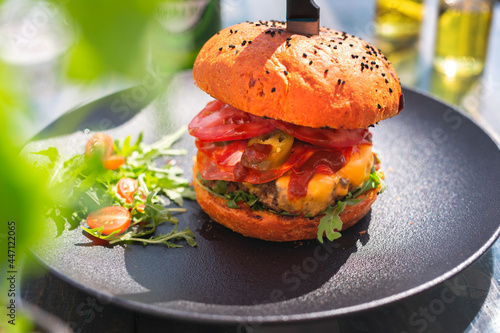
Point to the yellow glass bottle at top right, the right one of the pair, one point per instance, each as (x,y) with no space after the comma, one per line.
(462,36)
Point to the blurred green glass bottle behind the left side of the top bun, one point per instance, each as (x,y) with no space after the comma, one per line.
(180,29)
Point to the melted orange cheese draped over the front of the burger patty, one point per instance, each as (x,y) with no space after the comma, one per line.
(322,189)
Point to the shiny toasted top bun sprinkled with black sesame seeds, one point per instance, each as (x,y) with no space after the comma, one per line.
(331,80)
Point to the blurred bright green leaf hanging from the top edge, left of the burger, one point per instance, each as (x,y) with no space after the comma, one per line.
(112,38)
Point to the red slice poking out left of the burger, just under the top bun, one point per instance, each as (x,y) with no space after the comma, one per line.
(221,122)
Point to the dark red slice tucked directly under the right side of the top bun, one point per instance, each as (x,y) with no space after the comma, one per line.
(326,138)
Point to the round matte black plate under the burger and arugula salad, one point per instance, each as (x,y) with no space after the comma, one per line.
(439,213)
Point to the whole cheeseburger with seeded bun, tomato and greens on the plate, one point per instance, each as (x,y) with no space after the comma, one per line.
(284,152)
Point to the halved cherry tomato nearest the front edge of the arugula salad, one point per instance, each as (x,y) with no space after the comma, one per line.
(112,218)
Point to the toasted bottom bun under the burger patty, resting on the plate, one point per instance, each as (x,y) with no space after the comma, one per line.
(270,226)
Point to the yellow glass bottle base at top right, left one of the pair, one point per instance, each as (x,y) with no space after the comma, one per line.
(398,19)
